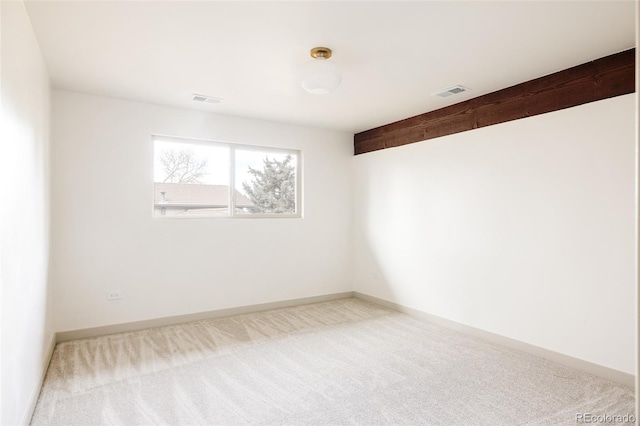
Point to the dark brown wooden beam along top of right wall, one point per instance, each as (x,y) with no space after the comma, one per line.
(603,78)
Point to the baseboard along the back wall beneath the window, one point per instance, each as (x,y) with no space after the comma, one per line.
(84,333)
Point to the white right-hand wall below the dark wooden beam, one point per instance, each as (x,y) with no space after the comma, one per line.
(524,229)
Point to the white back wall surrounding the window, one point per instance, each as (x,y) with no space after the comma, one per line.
(104,237)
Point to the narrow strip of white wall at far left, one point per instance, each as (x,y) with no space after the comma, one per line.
(26,330)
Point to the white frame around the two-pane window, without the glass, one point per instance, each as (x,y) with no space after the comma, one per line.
(233,146)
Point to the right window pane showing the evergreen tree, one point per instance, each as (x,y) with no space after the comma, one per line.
(265,182)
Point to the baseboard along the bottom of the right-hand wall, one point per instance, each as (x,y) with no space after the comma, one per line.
(557,357)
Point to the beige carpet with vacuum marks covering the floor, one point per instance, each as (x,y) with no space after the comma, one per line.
(341,362)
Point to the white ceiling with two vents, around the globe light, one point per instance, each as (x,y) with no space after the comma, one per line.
(393,54)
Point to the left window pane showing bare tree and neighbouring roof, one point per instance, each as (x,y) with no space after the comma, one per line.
(190,179)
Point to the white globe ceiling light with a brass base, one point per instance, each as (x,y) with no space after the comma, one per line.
(320,76)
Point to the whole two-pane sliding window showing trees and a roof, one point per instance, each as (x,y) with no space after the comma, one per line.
(214,179)
